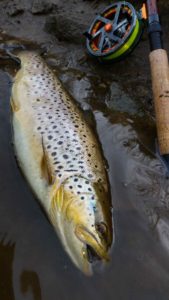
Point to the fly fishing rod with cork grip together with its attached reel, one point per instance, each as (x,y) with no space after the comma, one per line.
(115,33)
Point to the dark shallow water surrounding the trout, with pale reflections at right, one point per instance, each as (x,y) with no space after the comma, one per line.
(33,264)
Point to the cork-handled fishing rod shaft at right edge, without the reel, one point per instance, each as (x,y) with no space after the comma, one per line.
(160,81)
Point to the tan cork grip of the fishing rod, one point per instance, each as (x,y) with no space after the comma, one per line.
(160,84)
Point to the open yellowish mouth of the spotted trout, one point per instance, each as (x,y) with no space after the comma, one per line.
(95,249)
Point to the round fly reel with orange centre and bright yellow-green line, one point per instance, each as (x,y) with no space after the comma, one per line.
(115,32)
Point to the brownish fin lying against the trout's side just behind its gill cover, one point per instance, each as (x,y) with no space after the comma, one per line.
(46,168)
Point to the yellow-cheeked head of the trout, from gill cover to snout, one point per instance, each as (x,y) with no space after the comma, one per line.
(81,212)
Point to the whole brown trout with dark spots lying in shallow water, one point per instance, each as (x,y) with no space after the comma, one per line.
(60,157)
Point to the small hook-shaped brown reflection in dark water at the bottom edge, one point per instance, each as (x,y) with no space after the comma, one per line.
(30,283)
